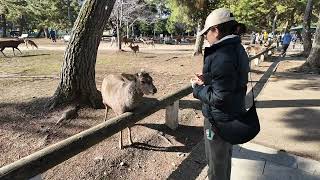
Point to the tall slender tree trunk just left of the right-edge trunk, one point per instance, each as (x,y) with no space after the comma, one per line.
(306,34)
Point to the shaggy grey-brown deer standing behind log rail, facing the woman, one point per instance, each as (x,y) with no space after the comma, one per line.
(122,93)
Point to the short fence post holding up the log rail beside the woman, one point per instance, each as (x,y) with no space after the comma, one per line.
(172,112)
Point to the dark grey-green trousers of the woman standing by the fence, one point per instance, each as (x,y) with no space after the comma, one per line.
(218,154)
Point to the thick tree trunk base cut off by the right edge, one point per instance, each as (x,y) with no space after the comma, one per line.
(314,57)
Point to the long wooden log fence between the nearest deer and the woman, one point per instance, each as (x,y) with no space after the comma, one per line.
(42,160)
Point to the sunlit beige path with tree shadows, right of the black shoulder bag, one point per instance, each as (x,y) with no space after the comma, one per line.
(289,112)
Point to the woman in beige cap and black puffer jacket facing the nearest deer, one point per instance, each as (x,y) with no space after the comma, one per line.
(221,87)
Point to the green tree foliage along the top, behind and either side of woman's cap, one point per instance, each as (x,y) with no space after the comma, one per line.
(256,14)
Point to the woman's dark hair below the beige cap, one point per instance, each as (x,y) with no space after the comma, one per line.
(230,27)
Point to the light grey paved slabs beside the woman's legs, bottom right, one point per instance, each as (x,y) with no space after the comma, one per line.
(255,162)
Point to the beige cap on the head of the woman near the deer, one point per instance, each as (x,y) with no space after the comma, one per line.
(218,16)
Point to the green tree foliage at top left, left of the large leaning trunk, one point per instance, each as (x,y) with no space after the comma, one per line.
(32,14)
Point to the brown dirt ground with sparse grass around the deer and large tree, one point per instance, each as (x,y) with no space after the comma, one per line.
(29,79)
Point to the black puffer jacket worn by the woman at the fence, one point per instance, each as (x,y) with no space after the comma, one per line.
(225,71)
